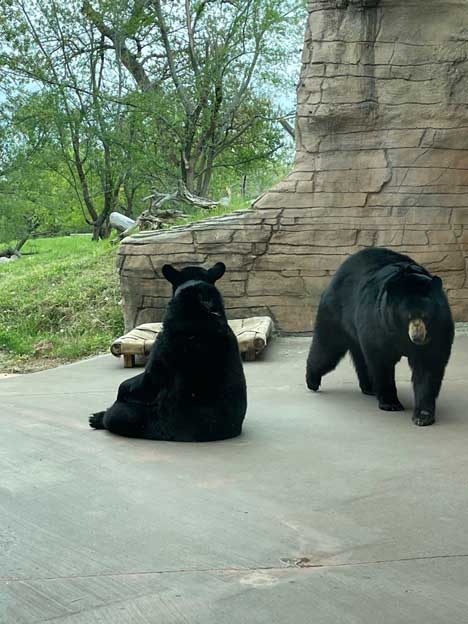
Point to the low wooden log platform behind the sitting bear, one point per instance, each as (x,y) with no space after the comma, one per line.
(251,333)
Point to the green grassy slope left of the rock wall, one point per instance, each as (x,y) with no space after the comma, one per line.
(59,304)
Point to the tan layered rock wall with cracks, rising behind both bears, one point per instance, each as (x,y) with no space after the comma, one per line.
(382,159)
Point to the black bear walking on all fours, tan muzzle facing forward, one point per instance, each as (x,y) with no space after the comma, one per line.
(380,306)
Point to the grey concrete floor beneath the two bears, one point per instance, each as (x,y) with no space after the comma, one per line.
(325,511)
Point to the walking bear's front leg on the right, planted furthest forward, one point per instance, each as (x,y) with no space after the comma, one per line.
(427,380)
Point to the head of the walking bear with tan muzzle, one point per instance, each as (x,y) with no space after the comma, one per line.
(413,300)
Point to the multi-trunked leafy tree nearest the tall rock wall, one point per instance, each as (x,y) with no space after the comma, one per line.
(206,56)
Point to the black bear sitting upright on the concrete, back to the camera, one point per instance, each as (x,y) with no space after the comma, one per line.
(193,388)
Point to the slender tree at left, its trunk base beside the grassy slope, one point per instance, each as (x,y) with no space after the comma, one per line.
(86,128)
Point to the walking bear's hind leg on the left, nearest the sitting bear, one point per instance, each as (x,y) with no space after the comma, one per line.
(329,346)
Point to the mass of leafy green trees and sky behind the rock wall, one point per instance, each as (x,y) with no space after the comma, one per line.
(104,101)
